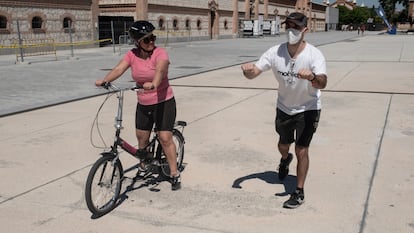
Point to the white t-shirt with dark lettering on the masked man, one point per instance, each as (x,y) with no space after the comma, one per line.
(295,95)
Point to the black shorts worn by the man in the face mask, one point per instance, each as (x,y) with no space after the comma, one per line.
(303,124)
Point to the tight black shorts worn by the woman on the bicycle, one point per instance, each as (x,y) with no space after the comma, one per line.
(162,114)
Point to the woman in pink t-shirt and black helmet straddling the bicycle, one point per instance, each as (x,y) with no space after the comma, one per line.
(156,104)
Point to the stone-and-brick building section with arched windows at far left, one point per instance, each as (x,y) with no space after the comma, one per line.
(38,19)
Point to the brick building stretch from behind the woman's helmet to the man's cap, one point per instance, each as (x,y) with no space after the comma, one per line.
(207,19)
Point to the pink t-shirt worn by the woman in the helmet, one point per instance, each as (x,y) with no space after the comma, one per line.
(144,71)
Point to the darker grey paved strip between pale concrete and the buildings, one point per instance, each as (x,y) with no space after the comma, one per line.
(38,82)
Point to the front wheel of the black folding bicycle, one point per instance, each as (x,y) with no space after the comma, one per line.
(103,185)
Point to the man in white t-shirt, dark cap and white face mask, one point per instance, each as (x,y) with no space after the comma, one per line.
(300,70)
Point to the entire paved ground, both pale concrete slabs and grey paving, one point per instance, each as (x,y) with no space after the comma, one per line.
(360,180)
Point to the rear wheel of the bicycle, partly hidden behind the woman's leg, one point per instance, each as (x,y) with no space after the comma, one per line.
(178,140)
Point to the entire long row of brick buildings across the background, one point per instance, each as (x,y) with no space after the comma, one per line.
(89,20)
